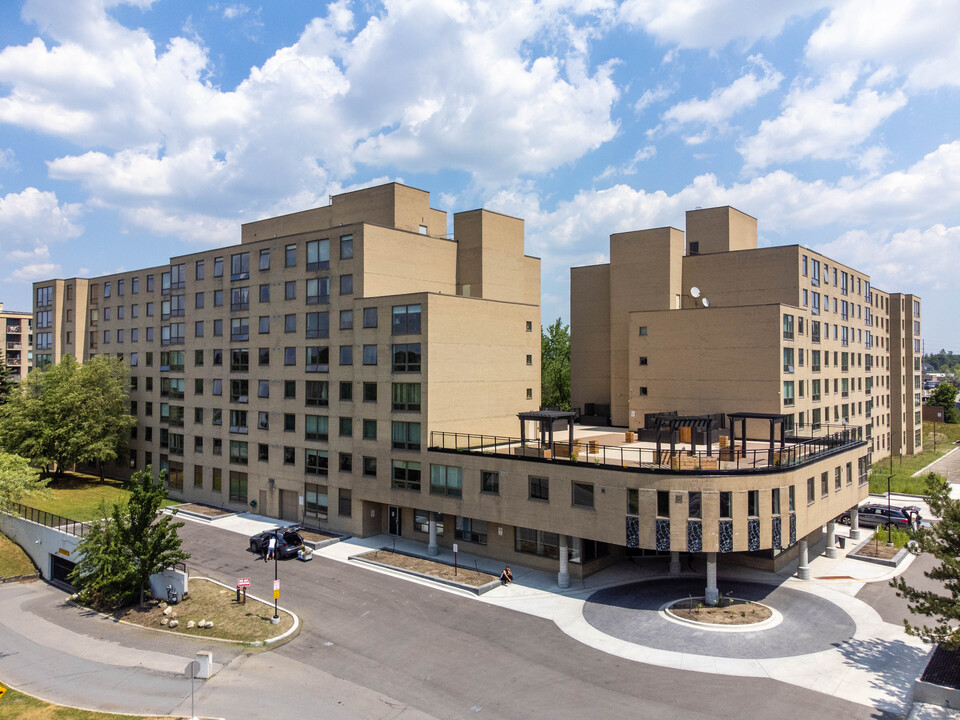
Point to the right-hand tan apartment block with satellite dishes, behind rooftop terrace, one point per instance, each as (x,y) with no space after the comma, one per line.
(705,321)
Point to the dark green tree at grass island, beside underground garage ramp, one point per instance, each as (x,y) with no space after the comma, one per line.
(119,553)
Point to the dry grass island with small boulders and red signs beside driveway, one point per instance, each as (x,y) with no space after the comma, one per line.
(244,622)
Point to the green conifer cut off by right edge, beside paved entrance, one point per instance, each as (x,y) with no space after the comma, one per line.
(943,542)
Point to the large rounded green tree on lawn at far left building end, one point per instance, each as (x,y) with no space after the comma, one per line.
(69,413)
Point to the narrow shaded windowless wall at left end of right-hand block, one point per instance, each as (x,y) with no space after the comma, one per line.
(590,335)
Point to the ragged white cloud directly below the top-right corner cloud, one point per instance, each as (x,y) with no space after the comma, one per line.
(827,120)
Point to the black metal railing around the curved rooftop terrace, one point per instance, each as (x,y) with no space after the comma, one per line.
(719,460)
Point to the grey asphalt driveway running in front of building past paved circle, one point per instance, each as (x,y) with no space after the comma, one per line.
(453,657)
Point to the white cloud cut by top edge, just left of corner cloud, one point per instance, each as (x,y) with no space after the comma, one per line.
(714,23)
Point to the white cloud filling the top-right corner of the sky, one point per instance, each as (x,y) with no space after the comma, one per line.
(918,38)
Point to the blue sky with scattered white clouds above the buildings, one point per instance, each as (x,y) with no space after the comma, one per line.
(132,130)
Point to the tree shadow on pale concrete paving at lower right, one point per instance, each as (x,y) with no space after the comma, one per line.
(893,665)
